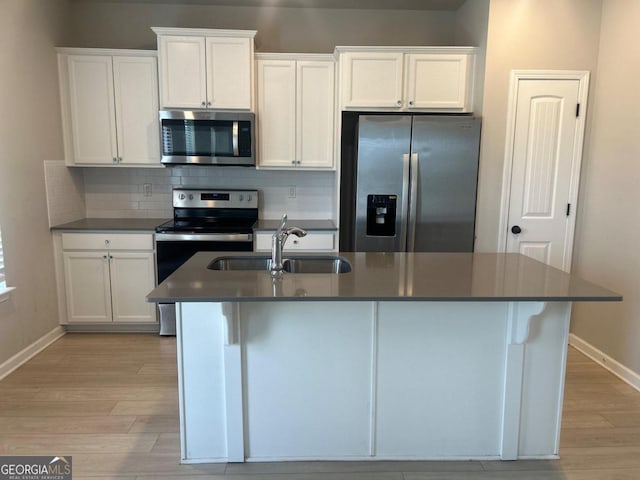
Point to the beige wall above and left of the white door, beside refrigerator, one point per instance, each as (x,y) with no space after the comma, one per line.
(546,34)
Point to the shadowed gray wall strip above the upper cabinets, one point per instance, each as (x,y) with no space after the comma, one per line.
(126,25)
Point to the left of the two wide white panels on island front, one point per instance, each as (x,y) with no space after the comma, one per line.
(307,372)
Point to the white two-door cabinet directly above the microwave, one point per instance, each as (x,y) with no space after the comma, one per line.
(204,68)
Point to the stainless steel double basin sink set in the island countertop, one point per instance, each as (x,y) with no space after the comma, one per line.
(295,264)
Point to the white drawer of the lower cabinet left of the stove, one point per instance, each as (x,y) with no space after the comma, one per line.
(110,241)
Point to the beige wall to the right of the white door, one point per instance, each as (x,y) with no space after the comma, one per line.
(608,231)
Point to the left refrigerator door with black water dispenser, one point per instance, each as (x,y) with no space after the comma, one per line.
(382,181)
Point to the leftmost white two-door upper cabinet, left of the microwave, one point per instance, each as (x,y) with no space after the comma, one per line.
(110,107)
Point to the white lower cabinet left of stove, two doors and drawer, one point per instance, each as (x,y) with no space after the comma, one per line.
(108,276)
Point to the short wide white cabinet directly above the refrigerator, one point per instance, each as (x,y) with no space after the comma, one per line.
(407,78)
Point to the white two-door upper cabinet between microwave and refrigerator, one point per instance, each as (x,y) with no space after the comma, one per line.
(296,110)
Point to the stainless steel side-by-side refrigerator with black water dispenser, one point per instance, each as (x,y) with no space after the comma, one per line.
(411,183)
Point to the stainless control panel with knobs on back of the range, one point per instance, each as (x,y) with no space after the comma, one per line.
(210,198)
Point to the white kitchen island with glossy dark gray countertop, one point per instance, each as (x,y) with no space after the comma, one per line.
(406,356)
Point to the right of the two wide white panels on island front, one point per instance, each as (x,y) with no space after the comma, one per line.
(440,376)
